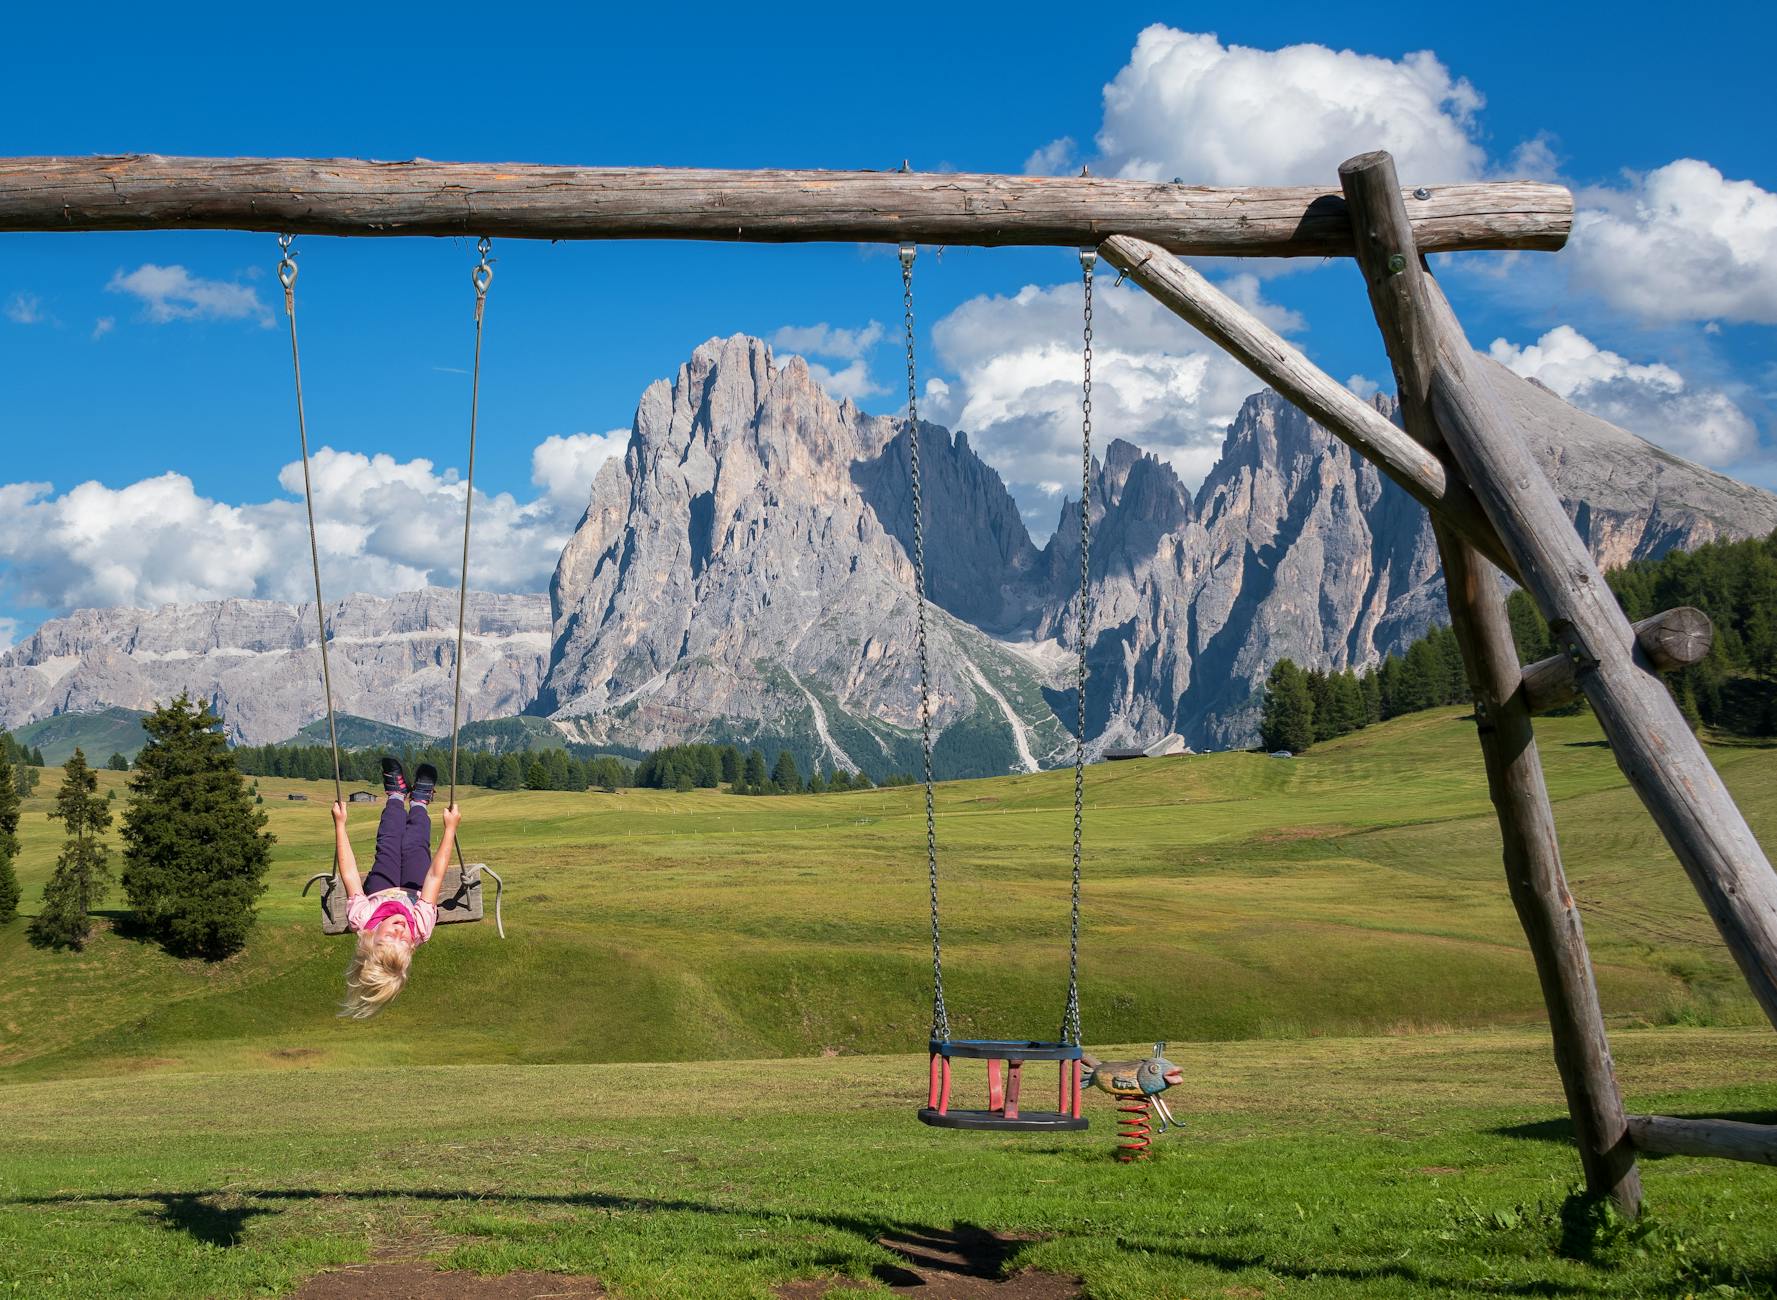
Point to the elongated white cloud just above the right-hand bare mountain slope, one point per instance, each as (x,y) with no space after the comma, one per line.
(1652,400)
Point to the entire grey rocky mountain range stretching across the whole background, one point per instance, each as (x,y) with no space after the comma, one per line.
(744,573)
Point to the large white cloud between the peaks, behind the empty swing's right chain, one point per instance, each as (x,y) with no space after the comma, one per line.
(1017,386)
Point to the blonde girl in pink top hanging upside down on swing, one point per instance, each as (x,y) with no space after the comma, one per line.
(397,907)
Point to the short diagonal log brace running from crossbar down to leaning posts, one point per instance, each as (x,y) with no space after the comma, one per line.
(1284,367)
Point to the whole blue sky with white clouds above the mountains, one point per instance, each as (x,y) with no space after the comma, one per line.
(131,358)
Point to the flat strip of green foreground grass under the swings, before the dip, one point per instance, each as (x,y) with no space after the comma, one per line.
(1422,1166)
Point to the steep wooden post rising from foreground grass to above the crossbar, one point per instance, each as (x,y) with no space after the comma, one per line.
(1398,281)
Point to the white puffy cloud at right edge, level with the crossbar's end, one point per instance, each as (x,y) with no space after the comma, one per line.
(1682,242)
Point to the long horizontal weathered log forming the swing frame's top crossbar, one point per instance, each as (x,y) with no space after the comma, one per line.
(347,196)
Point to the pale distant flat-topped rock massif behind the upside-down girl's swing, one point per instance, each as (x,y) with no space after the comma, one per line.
(259,665)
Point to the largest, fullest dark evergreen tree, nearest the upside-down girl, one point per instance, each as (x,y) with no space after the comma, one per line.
(196,850)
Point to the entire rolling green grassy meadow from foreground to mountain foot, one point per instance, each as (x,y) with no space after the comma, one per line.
(687,1070)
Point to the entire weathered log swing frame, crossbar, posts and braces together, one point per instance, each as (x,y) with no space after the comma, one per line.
(1494,509)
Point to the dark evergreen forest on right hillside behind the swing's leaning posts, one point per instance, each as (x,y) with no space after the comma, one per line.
(1733,690)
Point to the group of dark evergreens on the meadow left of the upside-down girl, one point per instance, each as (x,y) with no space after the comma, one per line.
(195,846)
